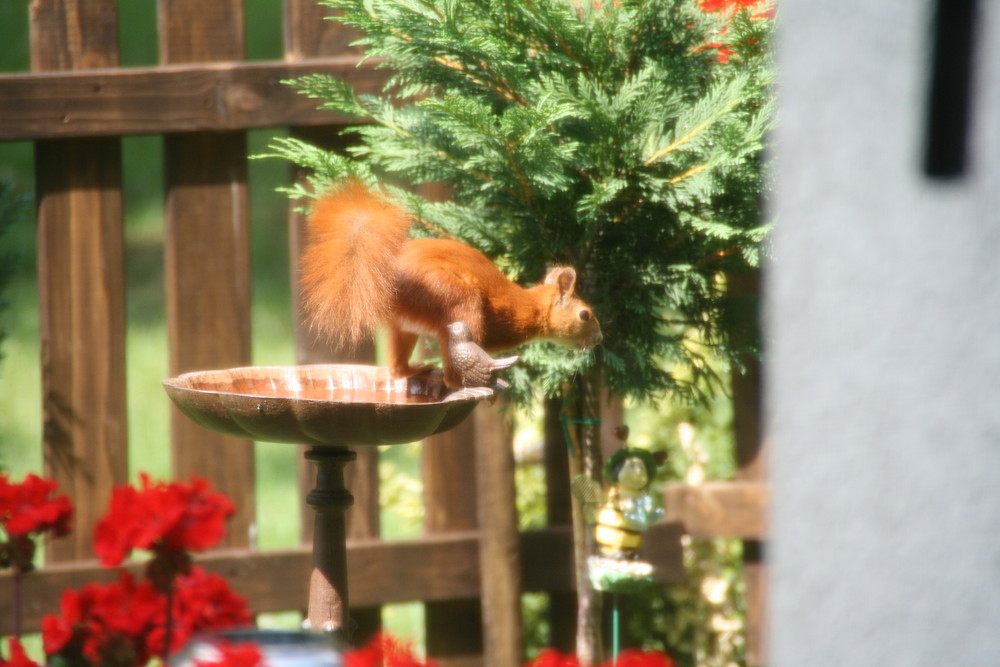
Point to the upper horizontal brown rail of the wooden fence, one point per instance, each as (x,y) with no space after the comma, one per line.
(181,98)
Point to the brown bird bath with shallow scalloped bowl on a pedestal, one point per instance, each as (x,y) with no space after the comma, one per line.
(328,407)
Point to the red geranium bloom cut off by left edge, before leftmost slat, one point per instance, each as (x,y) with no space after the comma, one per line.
(28,508)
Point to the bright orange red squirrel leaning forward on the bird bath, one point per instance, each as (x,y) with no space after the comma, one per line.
(360,270)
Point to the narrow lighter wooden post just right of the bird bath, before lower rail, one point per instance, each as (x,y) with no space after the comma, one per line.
(499,552)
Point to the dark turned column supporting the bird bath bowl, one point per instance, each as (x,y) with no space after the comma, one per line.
(328,599)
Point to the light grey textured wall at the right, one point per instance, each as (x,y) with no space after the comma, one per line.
(883,320)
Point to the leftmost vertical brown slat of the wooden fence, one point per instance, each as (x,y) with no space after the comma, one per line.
(81,282)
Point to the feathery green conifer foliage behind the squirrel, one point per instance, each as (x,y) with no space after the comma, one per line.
(621,138)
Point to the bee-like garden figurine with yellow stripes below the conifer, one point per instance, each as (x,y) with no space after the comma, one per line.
(620,519)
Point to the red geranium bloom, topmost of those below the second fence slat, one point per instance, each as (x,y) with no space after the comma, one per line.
(162,517)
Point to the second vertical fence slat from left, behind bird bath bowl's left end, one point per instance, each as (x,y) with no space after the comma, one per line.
(208,253)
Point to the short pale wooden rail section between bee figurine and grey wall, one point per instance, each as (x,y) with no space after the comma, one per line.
(719,509)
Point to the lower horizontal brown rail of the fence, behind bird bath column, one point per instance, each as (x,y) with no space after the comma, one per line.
(438,567)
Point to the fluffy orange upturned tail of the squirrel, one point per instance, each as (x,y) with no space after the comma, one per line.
(349,264)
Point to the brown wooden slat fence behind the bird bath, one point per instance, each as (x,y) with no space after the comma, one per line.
(75,106)
